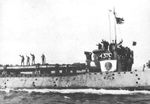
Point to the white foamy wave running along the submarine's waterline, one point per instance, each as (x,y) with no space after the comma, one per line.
(85,91)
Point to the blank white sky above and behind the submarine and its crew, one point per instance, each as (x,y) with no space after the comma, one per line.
(64,29)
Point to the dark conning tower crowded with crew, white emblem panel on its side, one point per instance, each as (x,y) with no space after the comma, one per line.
(111,57)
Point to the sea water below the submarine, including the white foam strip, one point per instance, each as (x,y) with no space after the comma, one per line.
(72,96)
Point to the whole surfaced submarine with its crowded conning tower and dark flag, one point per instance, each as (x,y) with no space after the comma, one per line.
(107,67)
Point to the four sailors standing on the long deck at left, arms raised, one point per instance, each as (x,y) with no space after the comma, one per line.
(33,59)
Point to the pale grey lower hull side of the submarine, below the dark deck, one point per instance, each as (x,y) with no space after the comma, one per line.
(112,80)
